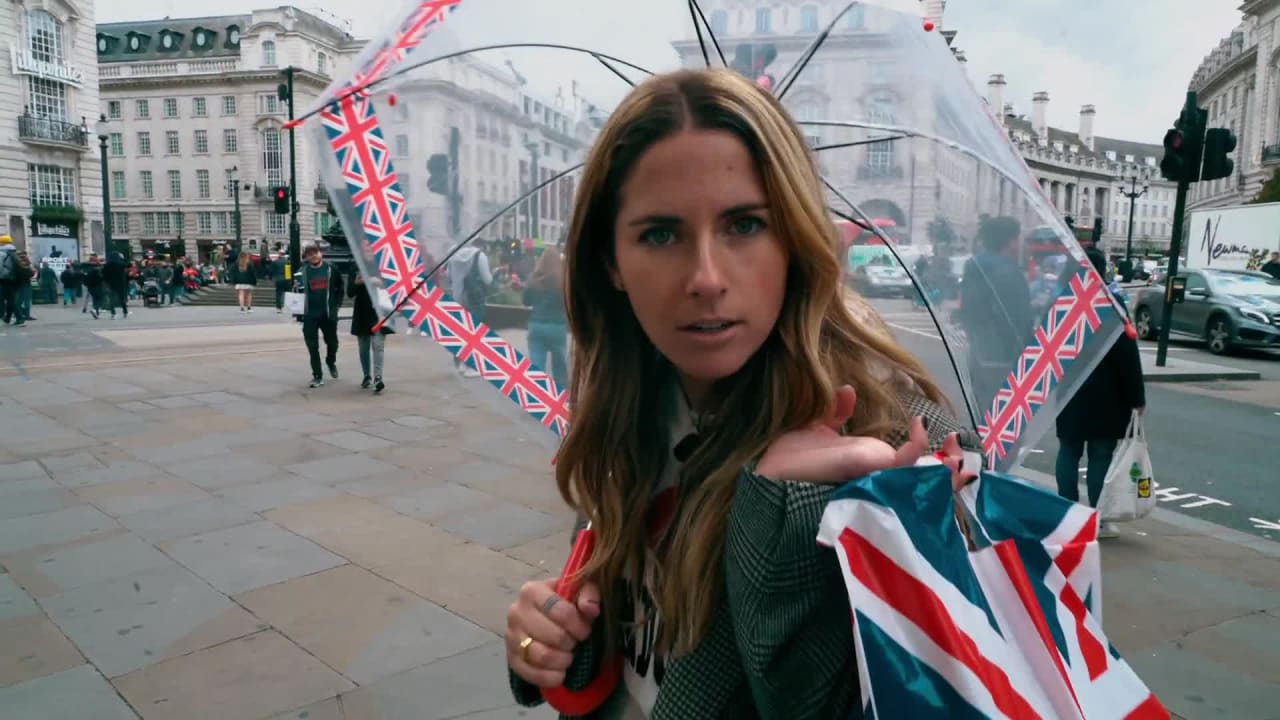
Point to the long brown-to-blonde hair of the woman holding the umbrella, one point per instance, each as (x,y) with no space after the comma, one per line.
(614,453)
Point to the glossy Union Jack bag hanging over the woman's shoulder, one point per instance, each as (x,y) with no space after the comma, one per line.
(985,607)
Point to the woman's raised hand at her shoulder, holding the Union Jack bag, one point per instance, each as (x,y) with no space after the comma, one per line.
(820,454)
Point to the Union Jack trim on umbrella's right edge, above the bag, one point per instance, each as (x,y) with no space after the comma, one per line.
(1075,318)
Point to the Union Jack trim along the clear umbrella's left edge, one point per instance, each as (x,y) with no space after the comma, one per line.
(358,142)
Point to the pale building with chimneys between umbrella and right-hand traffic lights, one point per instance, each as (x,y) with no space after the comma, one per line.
(1084,175)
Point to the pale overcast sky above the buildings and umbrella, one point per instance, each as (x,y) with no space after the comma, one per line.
(1113,54)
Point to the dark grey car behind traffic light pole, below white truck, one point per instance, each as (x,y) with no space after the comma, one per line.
(1227,309)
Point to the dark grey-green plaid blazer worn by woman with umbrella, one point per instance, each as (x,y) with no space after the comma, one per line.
(783,644)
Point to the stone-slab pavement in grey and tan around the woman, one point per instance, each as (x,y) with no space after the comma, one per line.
(205,539)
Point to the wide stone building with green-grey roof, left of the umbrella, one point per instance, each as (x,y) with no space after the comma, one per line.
(194,103)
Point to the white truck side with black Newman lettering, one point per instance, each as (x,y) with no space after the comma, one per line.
(1233,239)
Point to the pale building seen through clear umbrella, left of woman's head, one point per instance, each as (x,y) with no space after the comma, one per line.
(505,130)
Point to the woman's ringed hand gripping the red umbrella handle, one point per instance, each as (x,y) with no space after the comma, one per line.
(543,630)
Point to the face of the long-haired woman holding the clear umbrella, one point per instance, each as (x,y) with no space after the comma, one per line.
(698,256)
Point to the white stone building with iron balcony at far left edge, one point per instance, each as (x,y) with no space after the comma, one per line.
(51,183)
